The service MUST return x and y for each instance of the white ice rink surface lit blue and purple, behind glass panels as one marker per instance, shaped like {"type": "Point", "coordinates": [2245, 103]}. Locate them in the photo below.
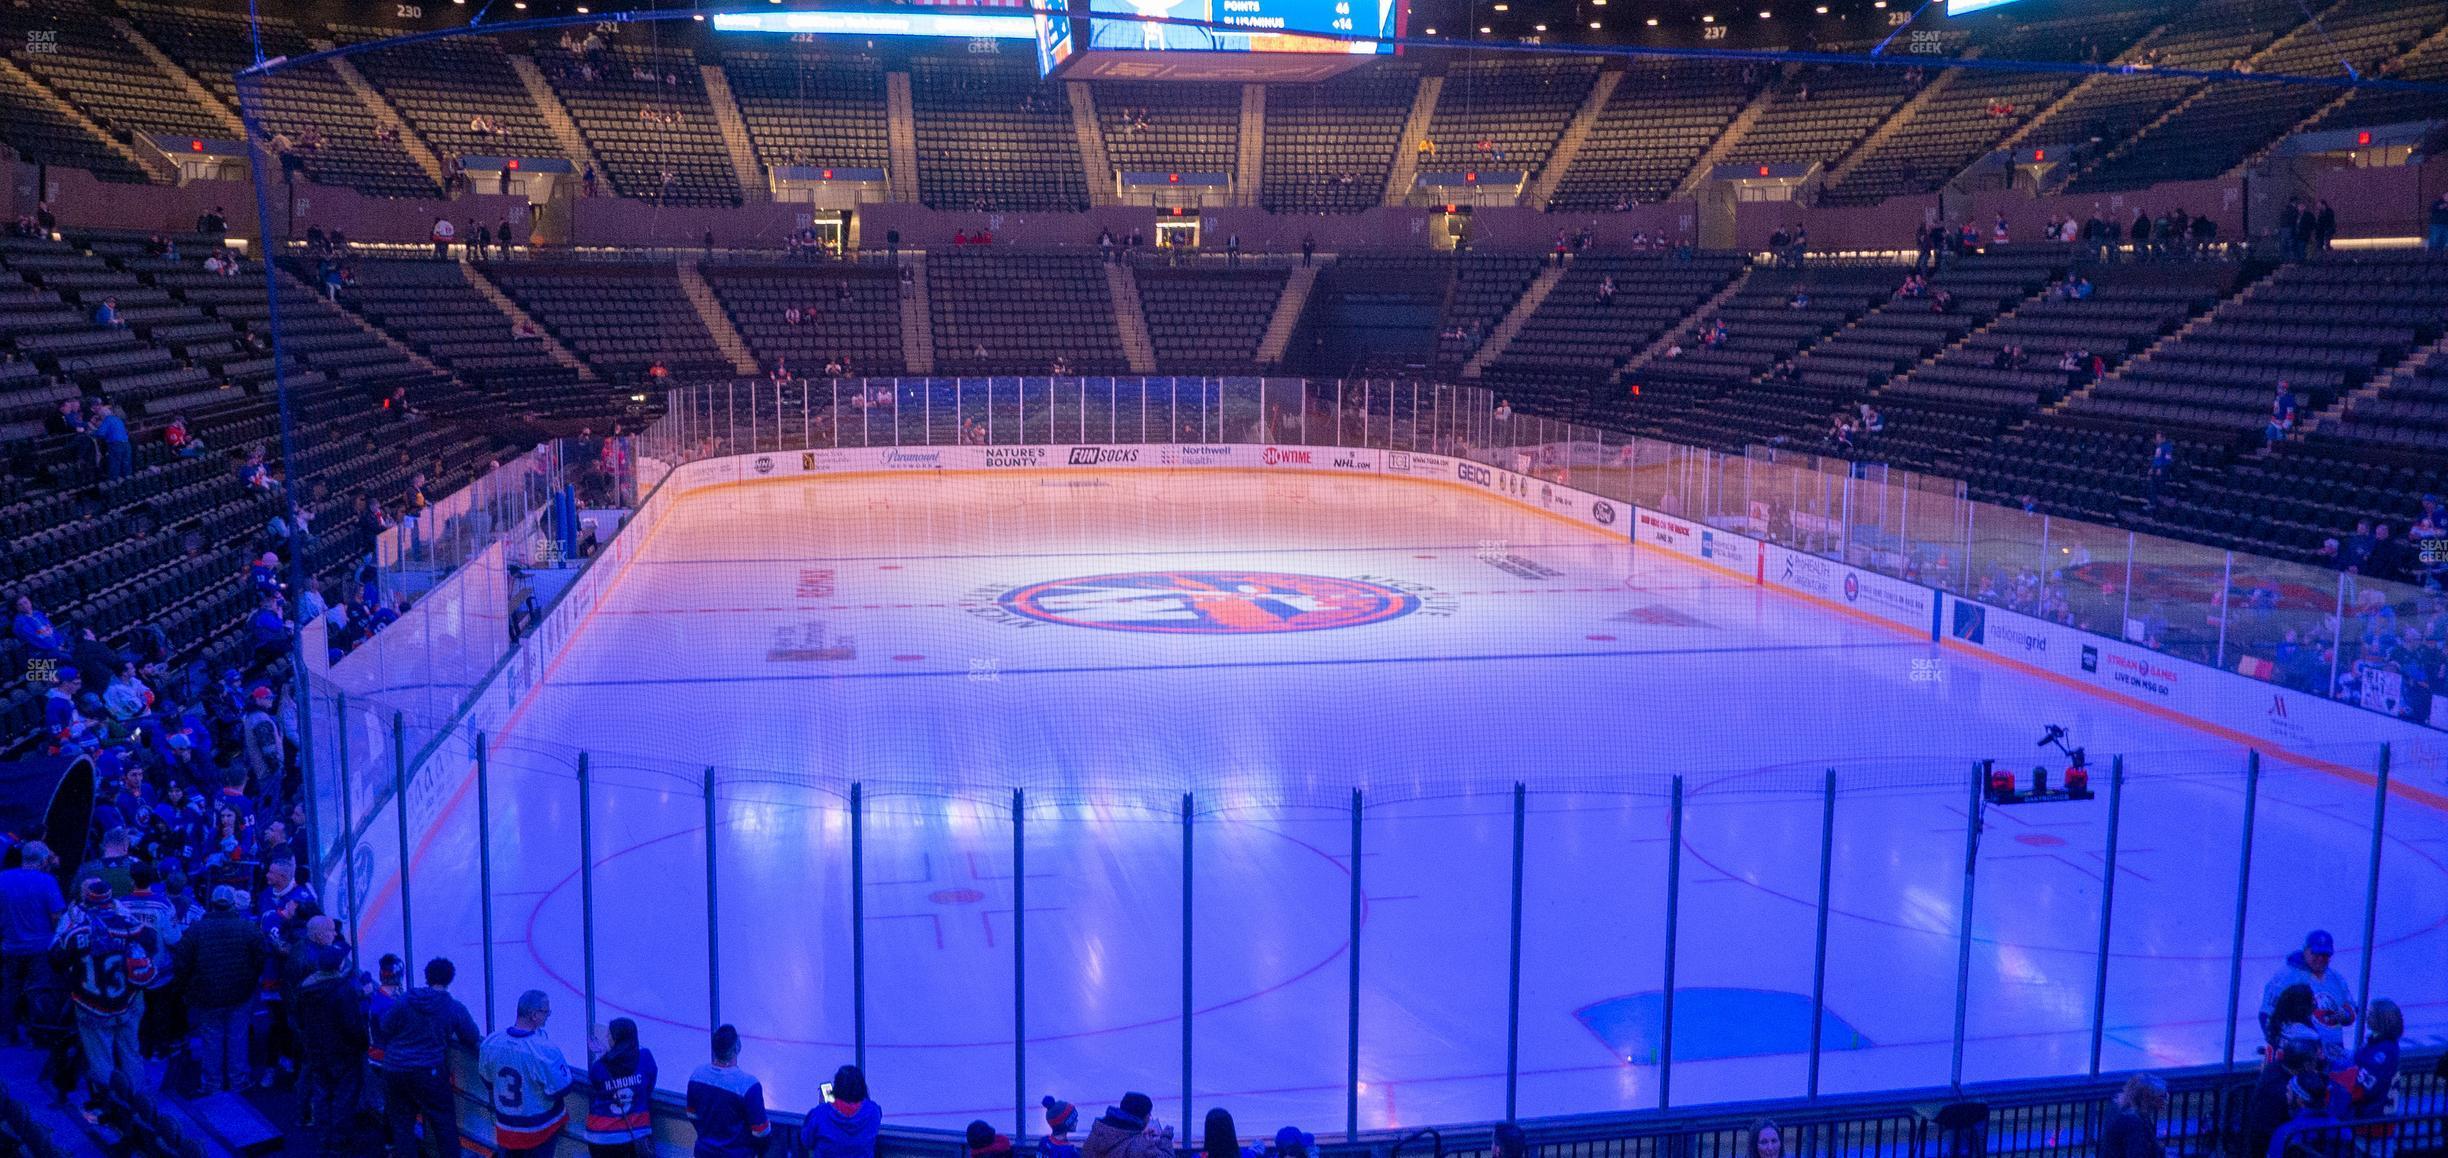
{"type": "Point", "coordinates": [1272, 645]}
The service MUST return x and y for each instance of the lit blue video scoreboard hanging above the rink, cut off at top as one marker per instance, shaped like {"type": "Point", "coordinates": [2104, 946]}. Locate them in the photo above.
{"type": "Point", "coordinates": [1215, 40]}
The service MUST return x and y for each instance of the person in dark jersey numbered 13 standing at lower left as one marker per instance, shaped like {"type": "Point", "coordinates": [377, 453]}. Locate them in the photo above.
{"type": "Point", "coordinates": [109, 961]}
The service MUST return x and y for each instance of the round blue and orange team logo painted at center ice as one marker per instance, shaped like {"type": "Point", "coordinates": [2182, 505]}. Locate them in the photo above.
{"type": "Point", "coordinates": [1211, 603]}
